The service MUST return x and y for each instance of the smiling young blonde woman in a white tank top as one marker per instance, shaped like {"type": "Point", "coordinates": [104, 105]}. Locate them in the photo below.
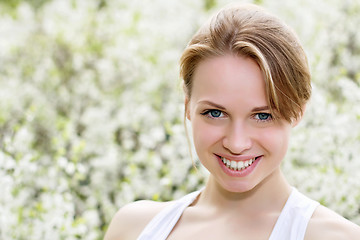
{"type": "Point", "coordinates": [246, 84]}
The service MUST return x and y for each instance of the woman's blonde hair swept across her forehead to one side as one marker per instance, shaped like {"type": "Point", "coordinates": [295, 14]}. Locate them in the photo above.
{"type": "Point", "coordinates": [250, 31]}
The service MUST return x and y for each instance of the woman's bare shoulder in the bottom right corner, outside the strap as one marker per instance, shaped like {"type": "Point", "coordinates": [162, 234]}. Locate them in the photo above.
{"type": "Point", "coordinates": [326, 224]}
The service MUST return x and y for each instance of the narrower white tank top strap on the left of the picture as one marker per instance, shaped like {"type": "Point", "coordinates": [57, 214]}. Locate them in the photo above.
{"type": "Point", "coordinates": [162, 224]}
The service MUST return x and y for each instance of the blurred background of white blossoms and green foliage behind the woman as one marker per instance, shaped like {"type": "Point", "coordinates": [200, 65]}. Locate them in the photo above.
{"type": "Point", "coordinates": [91, 109]}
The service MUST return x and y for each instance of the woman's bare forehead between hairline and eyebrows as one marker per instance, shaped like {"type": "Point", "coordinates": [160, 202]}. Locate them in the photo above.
{"type": "Point", "coordinates": [229, 79]}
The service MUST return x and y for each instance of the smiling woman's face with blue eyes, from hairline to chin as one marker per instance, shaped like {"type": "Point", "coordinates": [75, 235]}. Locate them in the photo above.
{"type": "Point", "coordinates": [235, 136]}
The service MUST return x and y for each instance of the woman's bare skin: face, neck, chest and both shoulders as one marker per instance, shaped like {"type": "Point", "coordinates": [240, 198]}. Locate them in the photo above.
{"type": "Point", "coordinates": [230, 117]}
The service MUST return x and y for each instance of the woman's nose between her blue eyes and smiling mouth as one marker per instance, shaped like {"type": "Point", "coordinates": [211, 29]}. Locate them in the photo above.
{"type": "Point", "coordinates": [237, 138]}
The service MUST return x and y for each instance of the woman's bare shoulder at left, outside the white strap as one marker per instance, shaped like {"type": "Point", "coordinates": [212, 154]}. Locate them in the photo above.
{"type": "Point", "coordinates": [132, 218]}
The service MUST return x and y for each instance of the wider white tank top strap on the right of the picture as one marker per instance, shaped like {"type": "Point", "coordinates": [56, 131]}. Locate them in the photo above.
{"type": "Point", "coordinates": [294, 218]}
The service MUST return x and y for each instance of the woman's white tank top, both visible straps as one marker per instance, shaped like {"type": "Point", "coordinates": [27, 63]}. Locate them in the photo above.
{"type": "Point", "coordinates": [291, 224]}
